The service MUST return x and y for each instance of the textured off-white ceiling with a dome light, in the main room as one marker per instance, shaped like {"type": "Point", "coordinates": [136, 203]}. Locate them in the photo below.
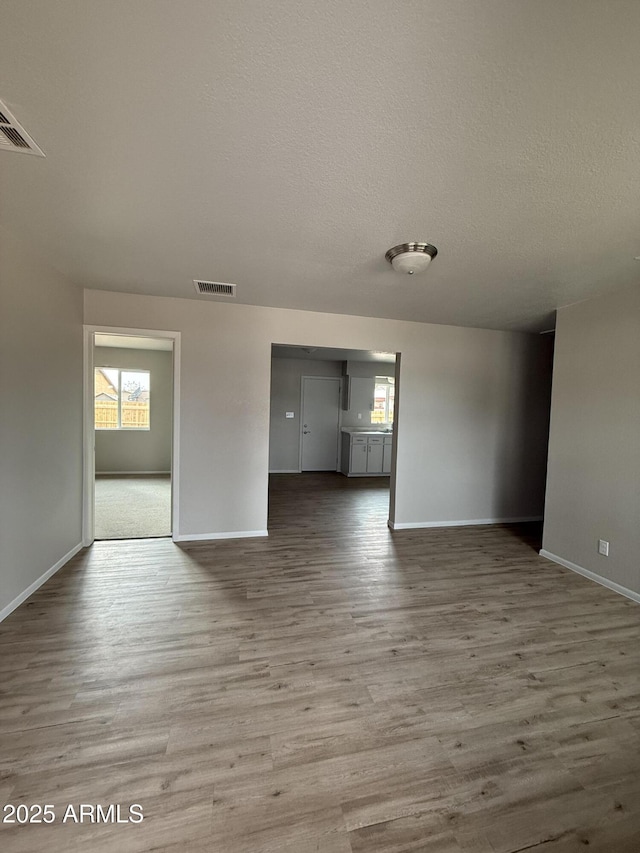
{"type": "Point", "coordinates": [285, 146]}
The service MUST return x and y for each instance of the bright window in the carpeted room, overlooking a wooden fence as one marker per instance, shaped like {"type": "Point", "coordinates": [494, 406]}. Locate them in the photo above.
{"type": "Point", "coordinates": [121, 398]}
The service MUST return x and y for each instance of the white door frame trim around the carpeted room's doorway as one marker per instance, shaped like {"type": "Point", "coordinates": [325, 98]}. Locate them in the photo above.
{"type": "Point", "coordinates": [88, 432]}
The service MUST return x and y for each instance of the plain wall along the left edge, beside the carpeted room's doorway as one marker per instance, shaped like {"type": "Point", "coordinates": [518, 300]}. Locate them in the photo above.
{"type": "Point", "coordinates": [40, 419]}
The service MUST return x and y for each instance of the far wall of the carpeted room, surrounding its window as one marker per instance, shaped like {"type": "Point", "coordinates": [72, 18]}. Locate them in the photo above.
{"type": "Point", "coordinates": [134, 451]}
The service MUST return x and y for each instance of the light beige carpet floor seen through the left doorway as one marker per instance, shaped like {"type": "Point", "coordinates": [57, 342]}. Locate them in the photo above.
{"type": "Point", "coordinates": [132, 507]}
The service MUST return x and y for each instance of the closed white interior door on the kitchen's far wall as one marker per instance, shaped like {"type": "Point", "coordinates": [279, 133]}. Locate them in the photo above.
{"type": "Point", "coordinates": [320, 422]}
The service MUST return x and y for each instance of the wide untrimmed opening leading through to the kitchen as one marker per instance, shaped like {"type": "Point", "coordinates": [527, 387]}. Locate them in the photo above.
{"type": "Point", "coordinates": [332, 439]}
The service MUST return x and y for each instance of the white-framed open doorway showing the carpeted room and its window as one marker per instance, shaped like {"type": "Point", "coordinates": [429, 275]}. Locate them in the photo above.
{"type": "Point", "coordinates": [130, 435]}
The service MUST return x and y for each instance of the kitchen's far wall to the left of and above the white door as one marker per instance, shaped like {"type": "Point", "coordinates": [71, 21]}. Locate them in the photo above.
{"type": "Point", "coordinates": [286, 383]}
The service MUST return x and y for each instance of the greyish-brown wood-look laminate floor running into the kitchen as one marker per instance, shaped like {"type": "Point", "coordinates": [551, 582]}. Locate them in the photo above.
{"type": "Point", "coordinates": [333, 688]}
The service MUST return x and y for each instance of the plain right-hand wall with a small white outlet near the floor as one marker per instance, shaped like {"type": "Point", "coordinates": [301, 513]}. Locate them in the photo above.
{"type": "Point", "coordinates": [594, 445]}
